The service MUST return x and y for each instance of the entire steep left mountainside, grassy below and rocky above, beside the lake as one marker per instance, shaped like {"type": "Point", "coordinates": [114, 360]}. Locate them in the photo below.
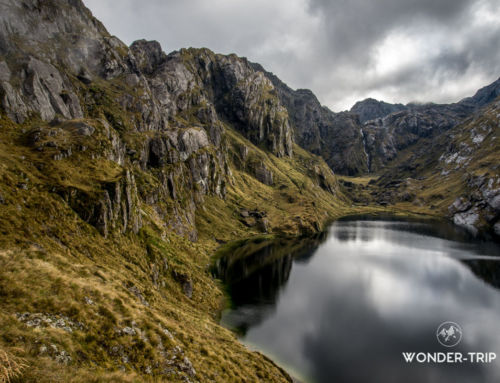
{"type": "Point", "coordinates": [122, 169]}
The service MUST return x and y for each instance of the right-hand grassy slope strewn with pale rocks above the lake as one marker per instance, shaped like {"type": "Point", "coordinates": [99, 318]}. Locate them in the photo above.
{"type": "Point", "coordinates": [454, 174]}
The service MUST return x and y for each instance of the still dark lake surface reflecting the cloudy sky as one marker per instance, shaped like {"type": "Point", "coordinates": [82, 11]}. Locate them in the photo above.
{"type": "Point", "coordinates": [344, 306]}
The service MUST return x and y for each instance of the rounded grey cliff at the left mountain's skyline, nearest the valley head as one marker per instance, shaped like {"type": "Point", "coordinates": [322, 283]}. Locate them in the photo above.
{"type": "Point", "coordinates": [218, 87]}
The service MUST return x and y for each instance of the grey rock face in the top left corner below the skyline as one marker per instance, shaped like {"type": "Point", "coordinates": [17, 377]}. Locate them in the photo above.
{"type": "Point", "coordinates": [68, 37]}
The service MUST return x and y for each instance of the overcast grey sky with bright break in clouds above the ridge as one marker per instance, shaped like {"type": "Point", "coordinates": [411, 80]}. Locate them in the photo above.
{"type": "Point", "coordinates": [343, 50]}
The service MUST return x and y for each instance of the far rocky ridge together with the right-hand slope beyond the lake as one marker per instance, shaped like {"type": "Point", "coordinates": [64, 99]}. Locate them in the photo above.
{"type": "Point", "coordinates": [409, 148]}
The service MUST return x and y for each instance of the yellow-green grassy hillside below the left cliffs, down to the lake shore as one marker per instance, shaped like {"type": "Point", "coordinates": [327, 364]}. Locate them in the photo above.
{"type": "Point", "coordinates": [79, 306]}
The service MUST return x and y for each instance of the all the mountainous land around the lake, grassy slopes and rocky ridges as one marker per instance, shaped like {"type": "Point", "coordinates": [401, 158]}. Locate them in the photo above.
{"type": "Point", "coordinates": [125, 169]}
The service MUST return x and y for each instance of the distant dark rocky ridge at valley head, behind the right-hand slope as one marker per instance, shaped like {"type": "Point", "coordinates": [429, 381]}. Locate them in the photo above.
{"type": "Point", "coordinates": [369, 137]}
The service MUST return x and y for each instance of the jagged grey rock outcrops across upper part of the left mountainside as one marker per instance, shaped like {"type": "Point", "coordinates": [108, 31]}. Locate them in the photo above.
{"type": "Point", "coordinates": [148, 111]}
